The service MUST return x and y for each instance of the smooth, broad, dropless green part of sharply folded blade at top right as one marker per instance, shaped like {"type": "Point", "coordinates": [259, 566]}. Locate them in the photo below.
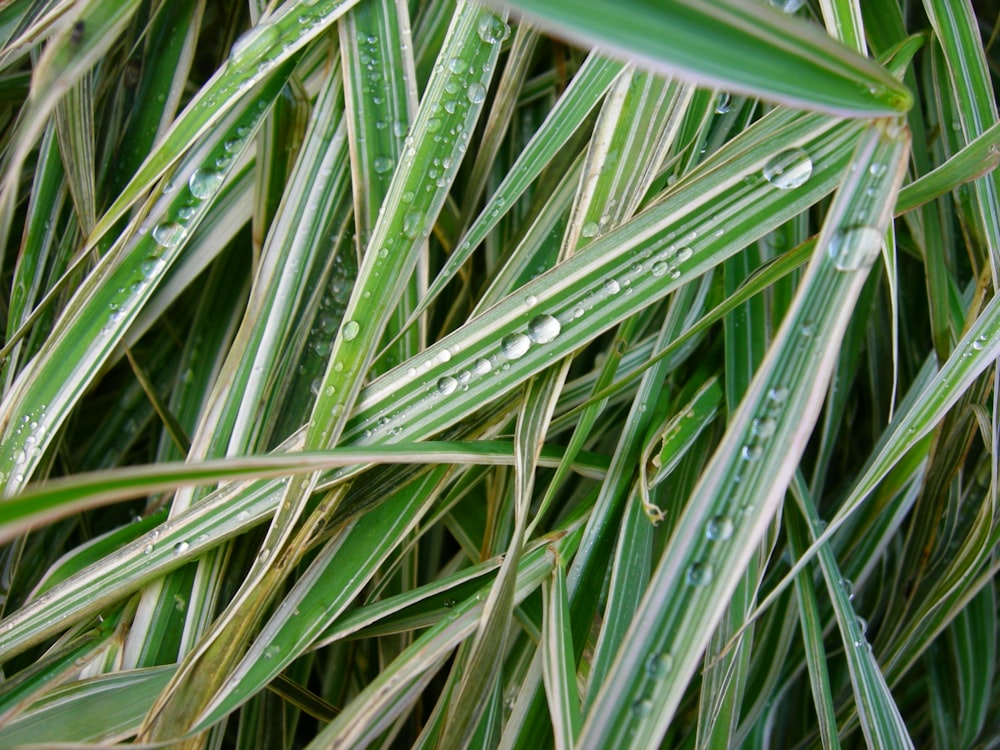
{"type": "Point", "coordinates": [710, 41]}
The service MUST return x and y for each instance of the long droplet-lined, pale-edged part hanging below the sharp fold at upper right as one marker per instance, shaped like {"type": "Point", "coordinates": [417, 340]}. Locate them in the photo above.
{"type": "Point", "coordinates": [747, 477]}
